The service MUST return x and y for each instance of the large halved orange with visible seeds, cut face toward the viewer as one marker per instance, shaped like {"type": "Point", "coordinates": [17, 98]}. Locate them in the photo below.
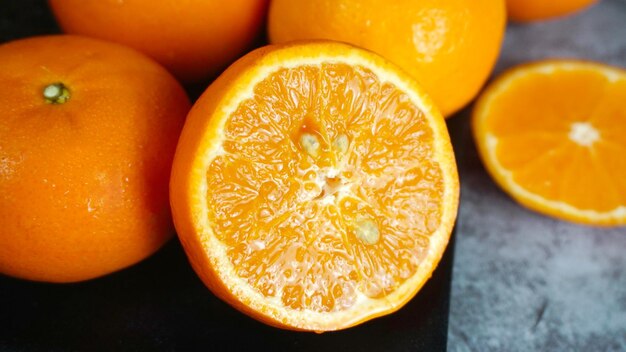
{"type": "Point", "coordinates": [314, 186]}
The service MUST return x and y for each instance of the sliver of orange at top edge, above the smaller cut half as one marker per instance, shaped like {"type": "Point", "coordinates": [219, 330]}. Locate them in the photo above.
{"type": "Point", "coordinates": [535, 10]}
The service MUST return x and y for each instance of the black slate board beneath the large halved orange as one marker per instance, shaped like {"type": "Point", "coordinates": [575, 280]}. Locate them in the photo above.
{"type": "Point", "coordinates": [160, 304]}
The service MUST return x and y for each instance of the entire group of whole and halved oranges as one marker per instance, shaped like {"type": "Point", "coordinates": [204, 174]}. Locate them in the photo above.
{"type": "Point", "coordinates": [313, 184]}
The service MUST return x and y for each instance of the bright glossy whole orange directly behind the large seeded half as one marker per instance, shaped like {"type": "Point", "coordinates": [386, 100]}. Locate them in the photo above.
{"type": "Point", "coordinates": [450, 46]}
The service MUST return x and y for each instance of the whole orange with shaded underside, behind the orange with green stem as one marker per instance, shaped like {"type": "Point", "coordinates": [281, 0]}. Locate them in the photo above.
{"type": "Point", "coordinates": [194, 39]}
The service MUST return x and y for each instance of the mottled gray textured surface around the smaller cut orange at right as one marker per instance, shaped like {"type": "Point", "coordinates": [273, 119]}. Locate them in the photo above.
{"type": "Point", "coordinates": [522, 281]}
